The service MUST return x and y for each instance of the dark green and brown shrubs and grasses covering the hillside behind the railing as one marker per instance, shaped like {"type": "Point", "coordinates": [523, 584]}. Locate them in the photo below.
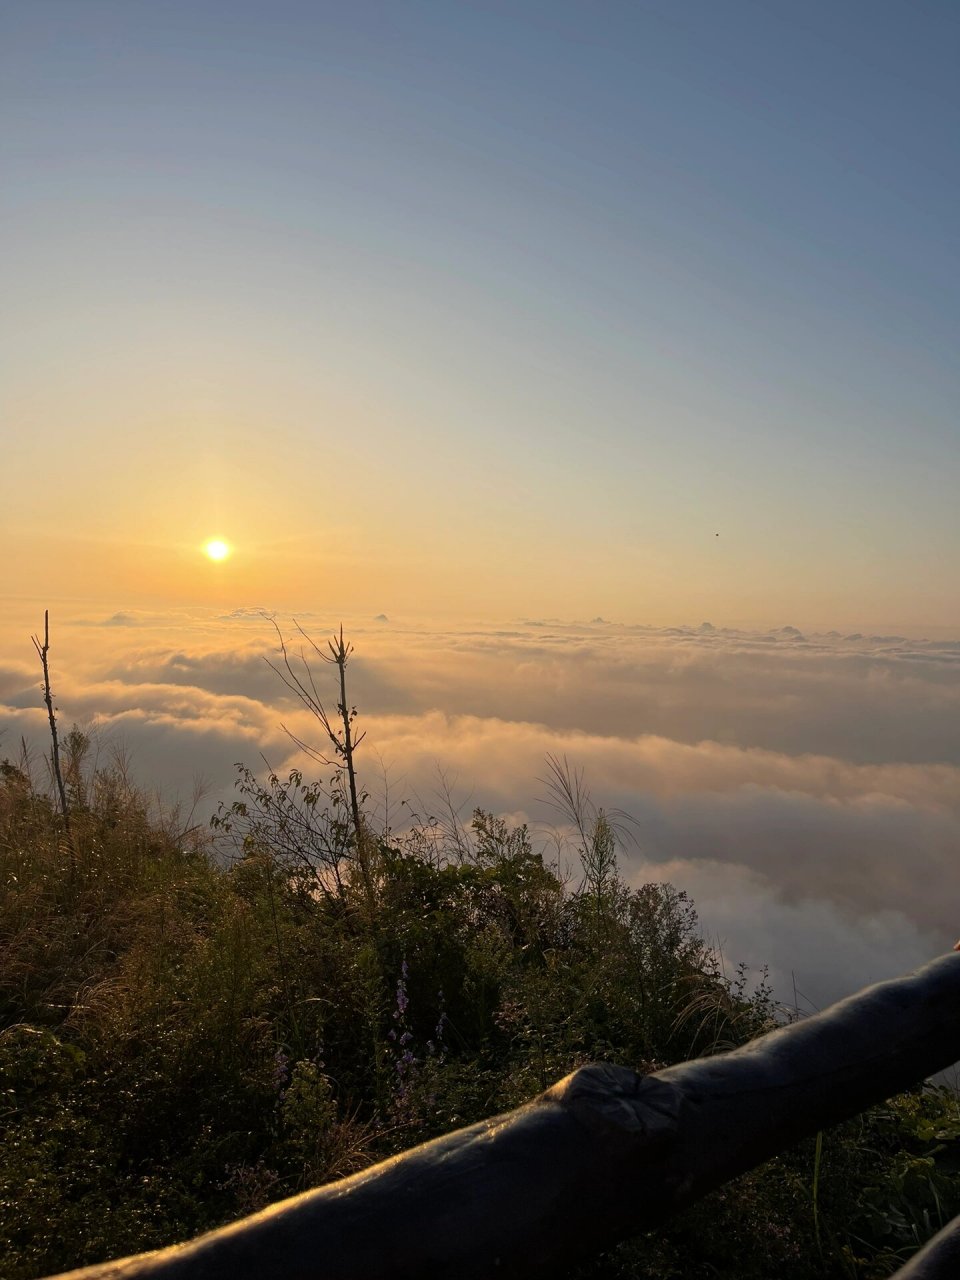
{"type": "Point", "coordinates": [196, 1023]}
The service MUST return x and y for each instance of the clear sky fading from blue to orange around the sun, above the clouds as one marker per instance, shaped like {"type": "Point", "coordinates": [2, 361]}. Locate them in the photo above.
{"type": "Point", "coordinates": [639, 310]}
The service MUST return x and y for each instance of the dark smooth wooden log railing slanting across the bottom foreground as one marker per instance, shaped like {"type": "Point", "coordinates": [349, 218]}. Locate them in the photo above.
{"type": "Point", "coordinates": [601, 1156]}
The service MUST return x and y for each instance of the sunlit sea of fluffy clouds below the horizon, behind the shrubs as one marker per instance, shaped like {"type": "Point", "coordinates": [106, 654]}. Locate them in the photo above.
{"type": "Point", "coordinates": [804, 789]}
